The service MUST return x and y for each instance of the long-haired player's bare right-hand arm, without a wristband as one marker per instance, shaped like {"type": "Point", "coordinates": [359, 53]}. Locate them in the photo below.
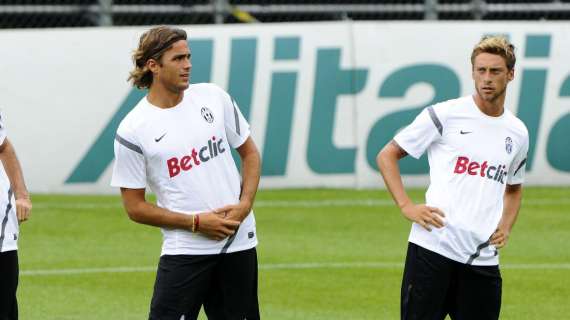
{"type": "Point", "coordinates": [251, 164]}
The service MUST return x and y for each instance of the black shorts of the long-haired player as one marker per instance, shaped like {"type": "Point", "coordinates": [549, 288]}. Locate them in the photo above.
{"type": "Point", "coordinates": [225, 284]}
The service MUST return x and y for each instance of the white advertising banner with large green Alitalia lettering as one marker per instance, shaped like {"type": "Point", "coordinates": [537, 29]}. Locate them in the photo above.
{"type": "Point", "coordinates": [322, 98]}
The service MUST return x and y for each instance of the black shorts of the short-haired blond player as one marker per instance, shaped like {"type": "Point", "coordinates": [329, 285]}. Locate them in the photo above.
{"type": "Point", "coordinates": [435, 286]}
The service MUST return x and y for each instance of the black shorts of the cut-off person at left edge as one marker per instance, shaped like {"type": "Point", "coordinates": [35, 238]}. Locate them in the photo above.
{"type": "Point", "coordinates": [8, 284]}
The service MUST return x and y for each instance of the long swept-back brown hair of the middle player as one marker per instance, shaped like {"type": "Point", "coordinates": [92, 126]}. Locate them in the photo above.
{"type": "Point", "coordinates": [152, 45]}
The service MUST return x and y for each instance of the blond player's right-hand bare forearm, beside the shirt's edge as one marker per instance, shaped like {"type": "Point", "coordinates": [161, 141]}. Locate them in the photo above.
{"type": "Point", "coordinates": [512, 204]}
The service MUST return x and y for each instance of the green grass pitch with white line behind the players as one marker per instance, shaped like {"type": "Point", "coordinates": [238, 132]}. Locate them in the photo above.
{"type": "Point", "coordinates": [324, 254]}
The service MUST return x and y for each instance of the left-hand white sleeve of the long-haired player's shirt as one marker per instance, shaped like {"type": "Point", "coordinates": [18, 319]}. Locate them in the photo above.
{"type": "Point", "coordinates": [129, 168]}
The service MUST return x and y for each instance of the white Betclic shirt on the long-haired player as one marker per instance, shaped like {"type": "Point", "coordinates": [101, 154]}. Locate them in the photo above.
{"type": "Point", "coordinates": [183, 154]}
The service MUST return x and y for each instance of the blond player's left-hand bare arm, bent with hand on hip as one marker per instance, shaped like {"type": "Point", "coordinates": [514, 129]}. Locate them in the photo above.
{"type": "Point", "coordinates": [387, 161]}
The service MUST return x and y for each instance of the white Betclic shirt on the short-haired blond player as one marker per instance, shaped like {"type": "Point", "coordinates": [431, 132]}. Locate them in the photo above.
{"type": "Point", "coordinates": [472, 157]}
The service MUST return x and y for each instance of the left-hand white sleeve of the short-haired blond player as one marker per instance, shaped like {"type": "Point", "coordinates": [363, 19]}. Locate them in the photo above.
{"type": "Point", "coordinates": [421, 133]}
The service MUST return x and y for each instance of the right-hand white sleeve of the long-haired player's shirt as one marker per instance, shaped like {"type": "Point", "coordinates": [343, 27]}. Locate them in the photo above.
{"type": "Point", "coordinates": [237, 128]}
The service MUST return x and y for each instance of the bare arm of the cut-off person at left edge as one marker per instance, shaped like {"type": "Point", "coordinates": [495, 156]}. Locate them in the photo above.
{"type": "Point", "coordinates": [16, 177]}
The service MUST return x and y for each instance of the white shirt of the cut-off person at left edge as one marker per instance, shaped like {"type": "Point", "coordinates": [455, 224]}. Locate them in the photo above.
{"type": "Point", "coordinates": [9, 228]}
